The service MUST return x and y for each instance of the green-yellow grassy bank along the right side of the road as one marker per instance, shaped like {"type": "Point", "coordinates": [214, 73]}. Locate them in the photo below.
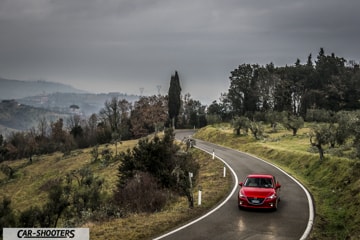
{"type": "Point", "coordinates": [334, 183]}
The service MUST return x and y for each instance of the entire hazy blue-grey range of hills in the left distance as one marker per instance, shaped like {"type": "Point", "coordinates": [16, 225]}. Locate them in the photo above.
{"type": "Point", "coordinates": [24, 103]}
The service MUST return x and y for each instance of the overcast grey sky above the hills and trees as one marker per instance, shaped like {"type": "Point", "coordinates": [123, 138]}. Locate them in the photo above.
{"type": "Point", "coordinates": [125, 45]}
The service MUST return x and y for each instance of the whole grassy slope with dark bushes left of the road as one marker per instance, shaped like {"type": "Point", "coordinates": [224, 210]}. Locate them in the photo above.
{"type": "Point", "coordinates": [81, 189]}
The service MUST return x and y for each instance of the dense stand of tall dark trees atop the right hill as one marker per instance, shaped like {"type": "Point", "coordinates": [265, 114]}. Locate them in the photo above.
{"type": "Point", "coordinates": [328, 83]}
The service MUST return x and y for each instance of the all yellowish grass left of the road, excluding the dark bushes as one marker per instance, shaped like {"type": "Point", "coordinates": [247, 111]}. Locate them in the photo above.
{"type": "Point", "coordinates": [28, 187]}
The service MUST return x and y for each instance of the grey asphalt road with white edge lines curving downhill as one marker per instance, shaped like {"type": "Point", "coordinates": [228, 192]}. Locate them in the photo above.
{"type": "Point", "coordinates": [292, 220]}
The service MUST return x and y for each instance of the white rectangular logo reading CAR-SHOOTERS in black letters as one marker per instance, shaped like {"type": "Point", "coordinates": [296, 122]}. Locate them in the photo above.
{"type": "Point", "coordinates": [46, 233]}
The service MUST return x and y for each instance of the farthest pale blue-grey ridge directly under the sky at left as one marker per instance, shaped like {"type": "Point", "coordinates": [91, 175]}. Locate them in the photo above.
{"type": "Point", "coordinates": [15, 89]}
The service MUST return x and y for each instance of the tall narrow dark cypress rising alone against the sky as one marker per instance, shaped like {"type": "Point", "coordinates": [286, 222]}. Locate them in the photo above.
{"type": "Point", "coordinates": [174, 102]}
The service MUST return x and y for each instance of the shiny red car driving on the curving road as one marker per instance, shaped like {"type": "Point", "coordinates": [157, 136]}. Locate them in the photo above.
{"type": "Point", "coordinates": [259, 191]}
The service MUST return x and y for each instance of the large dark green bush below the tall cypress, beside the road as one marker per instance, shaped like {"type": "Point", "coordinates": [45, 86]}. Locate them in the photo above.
{"type": "Point", "coordinates": [161, 159]}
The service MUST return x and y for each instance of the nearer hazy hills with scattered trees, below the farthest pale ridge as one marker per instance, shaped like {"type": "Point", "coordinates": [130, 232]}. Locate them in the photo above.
{"type": "Point", "coordinates": [25, 113]}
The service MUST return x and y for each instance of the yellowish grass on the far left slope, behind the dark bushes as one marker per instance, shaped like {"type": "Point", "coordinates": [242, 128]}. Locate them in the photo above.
{"type": "Point", "coordinates": [25, 187]}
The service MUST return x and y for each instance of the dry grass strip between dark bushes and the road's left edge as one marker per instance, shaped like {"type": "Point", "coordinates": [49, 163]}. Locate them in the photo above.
{"type": "Point", "coordinates": [145, 226]}
